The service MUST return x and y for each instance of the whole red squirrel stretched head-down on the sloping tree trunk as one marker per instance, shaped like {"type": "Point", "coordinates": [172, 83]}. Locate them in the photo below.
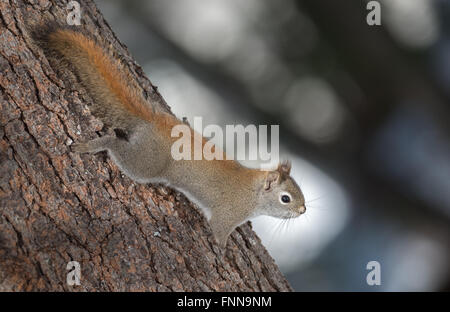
{"type": "Point", "coordinates": [227, 192]}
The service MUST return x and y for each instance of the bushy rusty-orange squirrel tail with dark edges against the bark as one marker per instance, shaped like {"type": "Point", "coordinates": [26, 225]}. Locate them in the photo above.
{"type": "Point", "coordinates": [116, 95]}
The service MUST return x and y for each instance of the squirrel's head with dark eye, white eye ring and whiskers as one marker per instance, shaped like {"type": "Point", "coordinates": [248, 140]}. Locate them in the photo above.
{"type": "Point", "coordinates": [281, 197]}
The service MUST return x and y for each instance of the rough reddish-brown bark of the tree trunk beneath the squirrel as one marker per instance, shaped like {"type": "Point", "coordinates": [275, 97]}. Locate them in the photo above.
{"type": "Point", "coordinates": [57, 206]}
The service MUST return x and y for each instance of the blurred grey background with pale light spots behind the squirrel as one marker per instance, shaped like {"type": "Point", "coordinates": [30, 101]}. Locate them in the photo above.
{"type": "Point", "coordinates": [364, 115]}
